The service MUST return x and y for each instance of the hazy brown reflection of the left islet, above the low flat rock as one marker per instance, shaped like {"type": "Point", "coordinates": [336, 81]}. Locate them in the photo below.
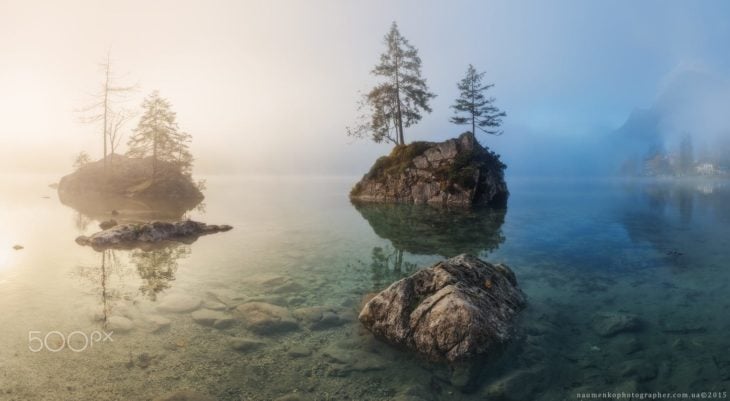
{"type": "Point", "coordinates": [100, 207]}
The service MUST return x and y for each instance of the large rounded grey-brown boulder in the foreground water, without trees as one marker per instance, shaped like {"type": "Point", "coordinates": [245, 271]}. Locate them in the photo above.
{"type": "Point", "coordinates": [456, 309]}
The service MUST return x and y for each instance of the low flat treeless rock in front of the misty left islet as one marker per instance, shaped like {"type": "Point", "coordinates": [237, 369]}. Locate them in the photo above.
{"type": "Point", "coordinates": [134, 235]}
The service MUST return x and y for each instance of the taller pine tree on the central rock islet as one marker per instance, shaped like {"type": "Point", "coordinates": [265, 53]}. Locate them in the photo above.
{"type": "Point", "coordinates": [398, 102]}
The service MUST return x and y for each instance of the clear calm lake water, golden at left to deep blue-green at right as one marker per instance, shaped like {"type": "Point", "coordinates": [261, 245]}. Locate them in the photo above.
{"type": "Point", "coordinates": [657, 250]}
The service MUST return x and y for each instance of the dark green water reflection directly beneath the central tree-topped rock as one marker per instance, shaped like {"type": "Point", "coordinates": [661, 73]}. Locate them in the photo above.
{"type": "Point", "coordinates": [425, 230]}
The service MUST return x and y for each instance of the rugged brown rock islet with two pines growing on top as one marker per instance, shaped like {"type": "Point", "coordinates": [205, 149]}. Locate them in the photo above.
{"type": "Point", "coordinates": [457, 172]}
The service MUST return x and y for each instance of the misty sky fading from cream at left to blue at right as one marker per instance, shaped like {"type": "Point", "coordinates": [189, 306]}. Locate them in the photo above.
{"type": "Point", "coordinates": [269, 86]}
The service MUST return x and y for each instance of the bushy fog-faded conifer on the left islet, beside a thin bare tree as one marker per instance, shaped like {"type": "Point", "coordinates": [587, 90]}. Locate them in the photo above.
{"type": "Point", "coordinates": [158, 135]}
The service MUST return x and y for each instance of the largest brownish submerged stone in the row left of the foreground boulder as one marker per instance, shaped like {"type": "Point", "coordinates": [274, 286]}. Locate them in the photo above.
{"type": "Point", "coordinates": [265, 318]}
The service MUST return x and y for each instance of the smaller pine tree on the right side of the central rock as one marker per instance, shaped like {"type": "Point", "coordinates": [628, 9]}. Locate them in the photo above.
{"type": "Point", "coordinates": [480, 110]}
